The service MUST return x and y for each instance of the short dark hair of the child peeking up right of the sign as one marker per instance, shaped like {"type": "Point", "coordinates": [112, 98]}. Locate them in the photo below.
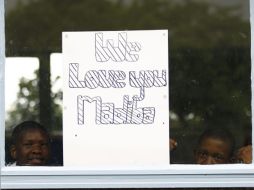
{"type": "Point", "coordinates": [221, 134]}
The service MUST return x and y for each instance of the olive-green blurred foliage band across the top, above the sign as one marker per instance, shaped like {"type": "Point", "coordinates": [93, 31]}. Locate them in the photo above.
{"type": "Point", "coordinates": [191, 24]}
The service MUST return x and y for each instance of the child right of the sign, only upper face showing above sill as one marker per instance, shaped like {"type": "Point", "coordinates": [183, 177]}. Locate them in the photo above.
{"type": "Point", "coordinates": [215, 146]}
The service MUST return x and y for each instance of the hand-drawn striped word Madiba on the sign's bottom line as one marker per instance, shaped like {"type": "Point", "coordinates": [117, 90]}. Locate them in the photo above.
{"type": "Point", "coordinates": [106, 113]}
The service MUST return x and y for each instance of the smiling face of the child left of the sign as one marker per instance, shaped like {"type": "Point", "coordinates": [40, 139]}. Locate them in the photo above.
{"type": "Point", "coordinates": [32, 148]}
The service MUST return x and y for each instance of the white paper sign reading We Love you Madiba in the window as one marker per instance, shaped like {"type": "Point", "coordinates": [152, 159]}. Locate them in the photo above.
{"type": "Point", "coordinates": [115, 96]}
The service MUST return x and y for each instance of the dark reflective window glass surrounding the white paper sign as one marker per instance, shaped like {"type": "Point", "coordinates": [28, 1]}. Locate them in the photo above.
{"type": "Point", "coordinates": [209, 69]}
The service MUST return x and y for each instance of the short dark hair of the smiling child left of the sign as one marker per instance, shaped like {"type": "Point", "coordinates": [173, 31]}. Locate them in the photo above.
{"type": "Point", "coordinates": [21, 128]}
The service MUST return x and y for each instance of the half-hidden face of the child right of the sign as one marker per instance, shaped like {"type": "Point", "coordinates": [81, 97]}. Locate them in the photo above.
{"type": "Point", "coordinates": [213, 151]}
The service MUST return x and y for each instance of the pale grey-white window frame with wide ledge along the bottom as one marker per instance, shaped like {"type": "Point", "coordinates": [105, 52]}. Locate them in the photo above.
{"type": "Point", "coordinates": [66, 177]}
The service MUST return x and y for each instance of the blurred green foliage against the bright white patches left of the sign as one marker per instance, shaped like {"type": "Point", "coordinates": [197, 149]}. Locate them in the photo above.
{"type": "Point", "coordinates": [26, 107]}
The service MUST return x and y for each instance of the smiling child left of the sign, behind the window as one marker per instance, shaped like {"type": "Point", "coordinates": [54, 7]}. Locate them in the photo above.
{"type": "Point", "coordinates": [30, 144]}
